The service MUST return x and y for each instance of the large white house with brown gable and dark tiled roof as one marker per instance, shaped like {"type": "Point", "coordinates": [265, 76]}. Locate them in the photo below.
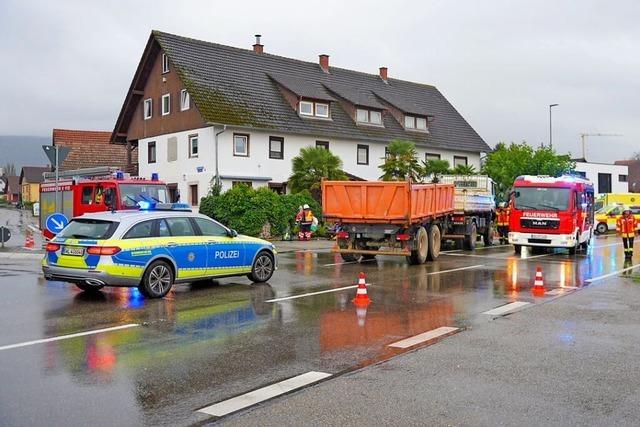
{"type": "Point", "coordinates": [197, 111]}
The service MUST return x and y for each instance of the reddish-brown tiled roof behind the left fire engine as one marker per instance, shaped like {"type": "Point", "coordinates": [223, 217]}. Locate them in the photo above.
{"type": "Point", "coordinates": [89, 149]}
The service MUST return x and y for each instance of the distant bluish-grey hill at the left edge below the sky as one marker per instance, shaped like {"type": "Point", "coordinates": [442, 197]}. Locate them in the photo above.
{"type": "Point", "coordinates": [23, 150]}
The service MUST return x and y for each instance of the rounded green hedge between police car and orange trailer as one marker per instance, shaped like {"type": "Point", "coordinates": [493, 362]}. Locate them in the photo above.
{"type": "Point", "coordinates": [257, 212]}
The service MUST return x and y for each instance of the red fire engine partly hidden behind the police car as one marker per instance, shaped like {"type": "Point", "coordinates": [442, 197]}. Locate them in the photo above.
{"type": "Point", "coordinates": [95, 190]}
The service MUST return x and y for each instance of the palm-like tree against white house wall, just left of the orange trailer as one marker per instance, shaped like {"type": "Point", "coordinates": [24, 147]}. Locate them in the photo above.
{"type": "Point", "coordinates": [311, 166]}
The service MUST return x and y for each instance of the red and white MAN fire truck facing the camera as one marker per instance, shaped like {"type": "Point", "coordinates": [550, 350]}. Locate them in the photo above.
{"type": "Point", "coordinates": [551, 212]}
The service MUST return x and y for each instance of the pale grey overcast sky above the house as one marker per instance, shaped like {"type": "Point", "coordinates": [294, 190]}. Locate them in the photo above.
{"type": "Point", "coordinates": [68, 64]}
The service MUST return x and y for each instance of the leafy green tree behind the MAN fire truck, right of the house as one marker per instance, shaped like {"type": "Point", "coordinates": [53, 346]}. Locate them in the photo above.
{"type": "Point", "coordinates": [506, 162]}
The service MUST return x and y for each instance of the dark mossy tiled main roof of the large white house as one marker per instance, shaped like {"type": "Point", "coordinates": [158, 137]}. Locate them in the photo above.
{"type": "Point", "coordinates": [232, 86]}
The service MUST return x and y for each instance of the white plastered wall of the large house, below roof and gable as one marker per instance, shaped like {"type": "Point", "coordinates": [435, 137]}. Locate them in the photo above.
{"type": "Point", "coordinates": [184, 172]}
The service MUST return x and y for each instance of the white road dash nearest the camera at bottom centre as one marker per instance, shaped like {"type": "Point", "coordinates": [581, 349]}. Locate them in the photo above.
{"type": "Point", "coordinates": [253, 397]}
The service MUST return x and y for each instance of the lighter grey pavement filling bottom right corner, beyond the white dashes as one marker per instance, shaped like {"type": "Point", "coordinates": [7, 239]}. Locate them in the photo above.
{"type": "Point", "coordinates": [572, 361]}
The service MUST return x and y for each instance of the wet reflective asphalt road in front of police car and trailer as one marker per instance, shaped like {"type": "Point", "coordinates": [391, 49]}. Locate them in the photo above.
{"type": "Point", "coordinates": [205, 343]}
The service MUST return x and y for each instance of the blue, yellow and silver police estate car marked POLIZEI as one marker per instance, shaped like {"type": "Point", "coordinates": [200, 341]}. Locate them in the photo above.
{"type": "Point", "coordinates": [152, 249]}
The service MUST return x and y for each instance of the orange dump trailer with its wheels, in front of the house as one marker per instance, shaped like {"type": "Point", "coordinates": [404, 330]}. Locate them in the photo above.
{"type": "Point", "coordinates": [388, 218]}
